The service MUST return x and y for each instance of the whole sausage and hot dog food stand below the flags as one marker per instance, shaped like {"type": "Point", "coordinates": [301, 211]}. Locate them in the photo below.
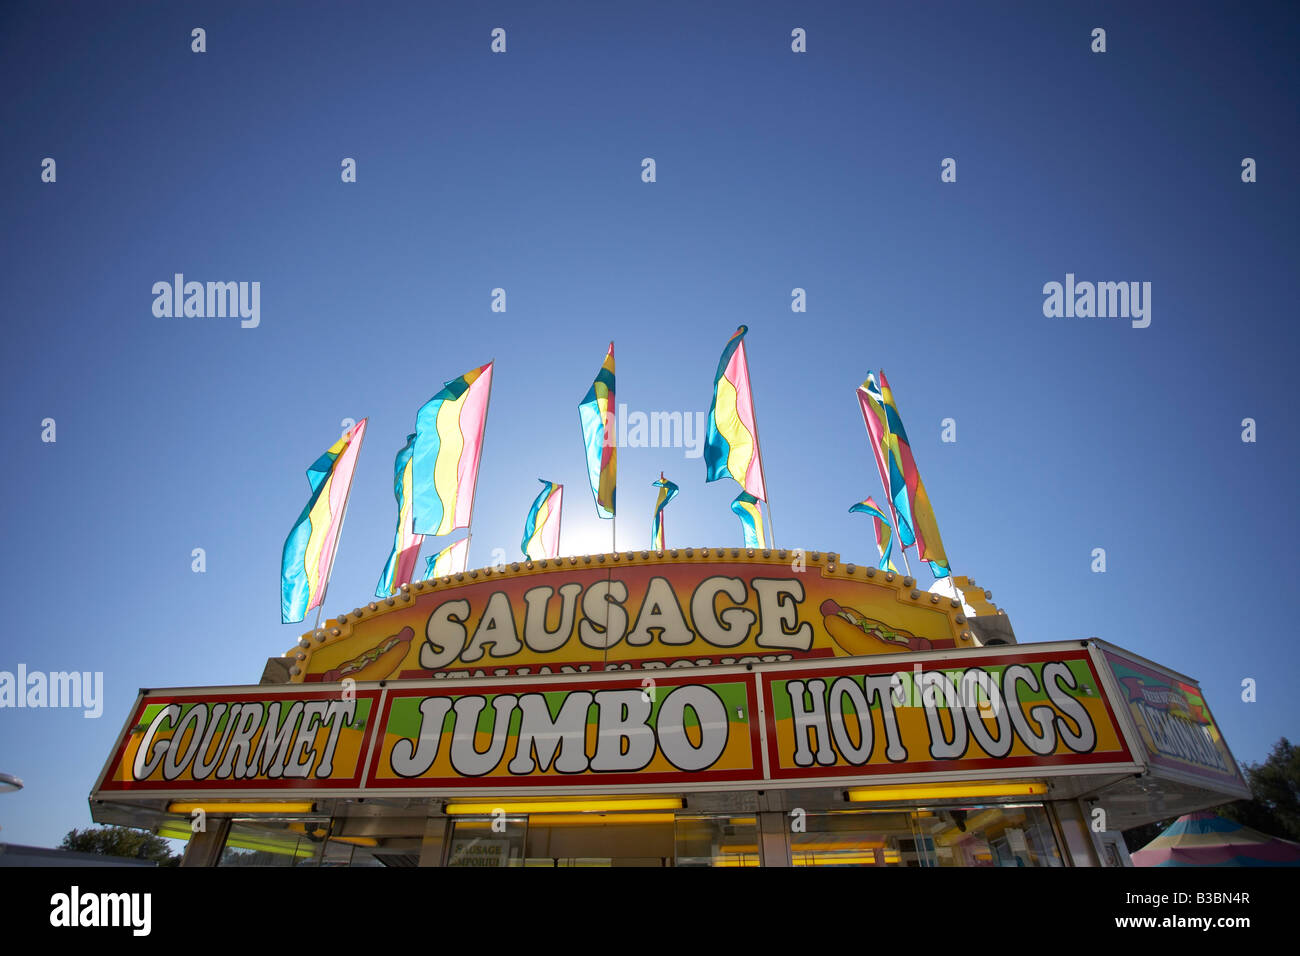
{"type": "Point", "coordinates": [696, 707]}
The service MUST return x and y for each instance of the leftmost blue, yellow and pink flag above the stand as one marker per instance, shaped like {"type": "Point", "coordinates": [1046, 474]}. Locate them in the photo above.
{"type": "Point", "coordinates": [309, 555]}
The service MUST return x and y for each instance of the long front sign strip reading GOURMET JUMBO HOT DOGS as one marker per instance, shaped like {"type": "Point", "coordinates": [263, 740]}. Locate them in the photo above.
{"type": "Point", "coordinates": [996, 712]}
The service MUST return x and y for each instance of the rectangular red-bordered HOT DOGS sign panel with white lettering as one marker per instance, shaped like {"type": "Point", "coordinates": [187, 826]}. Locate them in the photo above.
{"type": "Point", "coordinates": [986, 713]}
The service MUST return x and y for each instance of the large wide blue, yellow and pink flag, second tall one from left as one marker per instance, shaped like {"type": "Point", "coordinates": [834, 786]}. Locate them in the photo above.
{"type": "Point", "coordinates": [449, 439]}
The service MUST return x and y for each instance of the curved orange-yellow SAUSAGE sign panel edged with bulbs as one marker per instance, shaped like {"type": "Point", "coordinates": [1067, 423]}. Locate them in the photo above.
{"type": "Point", "coordinates": [632, 611]}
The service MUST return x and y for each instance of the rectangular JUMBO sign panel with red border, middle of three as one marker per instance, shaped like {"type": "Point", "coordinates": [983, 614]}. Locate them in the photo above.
{"type": "Point", "coordinates": [617, 732]}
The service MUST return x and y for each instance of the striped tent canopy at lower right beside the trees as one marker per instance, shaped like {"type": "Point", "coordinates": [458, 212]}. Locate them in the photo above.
{"type": "Point", "coordinates": [1204, 840]}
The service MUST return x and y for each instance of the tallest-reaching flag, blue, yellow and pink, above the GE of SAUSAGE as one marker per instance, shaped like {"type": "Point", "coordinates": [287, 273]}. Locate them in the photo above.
{"type": "Point", "coordinates": [731, 449]}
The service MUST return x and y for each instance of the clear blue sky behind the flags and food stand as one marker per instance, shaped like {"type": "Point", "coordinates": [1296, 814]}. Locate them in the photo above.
{"type": "Point", "coordinates": [523, 171]}
